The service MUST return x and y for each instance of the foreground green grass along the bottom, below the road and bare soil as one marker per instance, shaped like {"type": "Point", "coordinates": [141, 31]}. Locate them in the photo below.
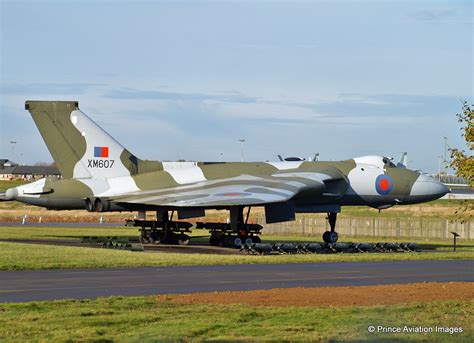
{"type": "Point", "coordinates": [144, 319]}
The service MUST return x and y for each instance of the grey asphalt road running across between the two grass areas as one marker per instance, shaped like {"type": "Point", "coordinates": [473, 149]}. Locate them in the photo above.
{"type": "Point", "coordinates": [91, 283]}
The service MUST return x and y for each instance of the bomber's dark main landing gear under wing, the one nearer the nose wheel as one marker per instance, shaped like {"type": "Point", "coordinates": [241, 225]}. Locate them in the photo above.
{"type": "Point", "coordinates": [234, 234]}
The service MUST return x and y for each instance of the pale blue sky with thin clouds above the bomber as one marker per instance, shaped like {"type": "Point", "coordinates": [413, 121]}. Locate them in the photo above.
{"type": "Point", "coordinates": [186, 79]}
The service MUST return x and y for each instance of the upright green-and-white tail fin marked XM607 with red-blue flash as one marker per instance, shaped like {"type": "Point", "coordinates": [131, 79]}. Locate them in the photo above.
{"type": "Point", "coordinates": [80, 148]}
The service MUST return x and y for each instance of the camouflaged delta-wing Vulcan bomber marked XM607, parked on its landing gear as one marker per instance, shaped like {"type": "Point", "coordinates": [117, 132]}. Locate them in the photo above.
{"type": "Point", "coordinates": [99, 174]}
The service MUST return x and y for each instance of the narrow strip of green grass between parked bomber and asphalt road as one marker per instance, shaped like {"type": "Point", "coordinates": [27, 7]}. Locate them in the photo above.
{"type": "Point", "coordinates": [22, 256]}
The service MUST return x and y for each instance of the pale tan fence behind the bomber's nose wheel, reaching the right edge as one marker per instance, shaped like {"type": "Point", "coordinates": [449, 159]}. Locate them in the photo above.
{"type": "Point", "coordinates": [374, 227]}
